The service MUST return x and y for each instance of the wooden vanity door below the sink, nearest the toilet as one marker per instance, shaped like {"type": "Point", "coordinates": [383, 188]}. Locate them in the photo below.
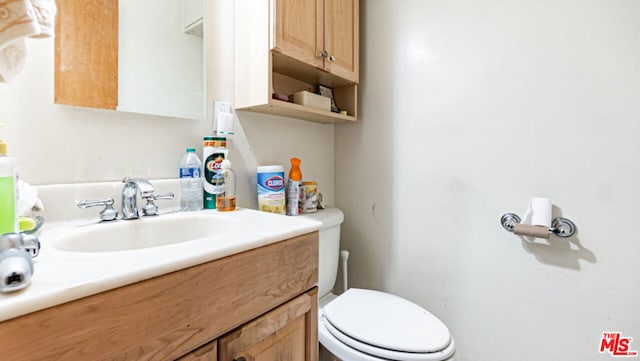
{"type": "Point", "coordinates": [287, 333]}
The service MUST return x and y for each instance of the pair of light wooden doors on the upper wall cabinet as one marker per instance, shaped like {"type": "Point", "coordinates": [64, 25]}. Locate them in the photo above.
{"type": "Point", "coordinates": [321, 33]}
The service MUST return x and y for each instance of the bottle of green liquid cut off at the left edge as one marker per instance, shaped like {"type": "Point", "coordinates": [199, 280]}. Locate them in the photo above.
{"type": "Point", "coordinates": [8, 204]}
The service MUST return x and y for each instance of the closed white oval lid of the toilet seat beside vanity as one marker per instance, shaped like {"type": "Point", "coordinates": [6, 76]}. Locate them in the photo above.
{"type": "Point", "coordinates": [386, 321]}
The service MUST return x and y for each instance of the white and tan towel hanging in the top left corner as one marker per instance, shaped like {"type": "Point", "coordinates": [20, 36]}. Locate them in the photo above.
{"type": "Point", "coordinates": [20, 19]}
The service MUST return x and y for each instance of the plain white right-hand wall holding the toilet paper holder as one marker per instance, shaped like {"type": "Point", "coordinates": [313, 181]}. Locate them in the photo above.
{"type": "Point", "coordinates": [469, 109]}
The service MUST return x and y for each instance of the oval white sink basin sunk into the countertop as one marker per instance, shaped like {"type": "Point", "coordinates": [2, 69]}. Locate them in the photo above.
{"type": "Point", "coordinates": [142, 233]}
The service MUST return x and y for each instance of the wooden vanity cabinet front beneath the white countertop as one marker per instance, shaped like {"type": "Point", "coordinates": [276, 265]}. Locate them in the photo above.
{"type": "Point", "coordinates": [257, 303]}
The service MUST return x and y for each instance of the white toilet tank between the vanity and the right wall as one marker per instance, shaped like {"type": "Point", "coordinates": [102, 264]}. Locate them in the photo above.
{"type": "Point", "coordinates": [329, 246]}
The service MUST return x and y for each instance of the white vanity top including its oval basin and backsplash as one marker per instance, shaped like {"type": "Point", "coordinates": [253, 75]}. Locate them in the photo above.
{"type": "Point", "coordinates": [80, 257]}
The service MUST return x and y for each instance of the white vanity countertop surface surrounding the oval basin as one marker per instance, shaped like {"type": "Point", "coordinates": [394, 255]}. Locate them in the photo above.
{"type": "Point", "coordinates": [63, 276]}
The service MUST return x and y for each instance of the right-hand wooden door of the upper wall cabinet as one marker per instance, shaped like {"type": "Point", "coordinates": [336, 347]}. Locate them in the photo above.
{"type": "Point", "coordinates": [341, 38]}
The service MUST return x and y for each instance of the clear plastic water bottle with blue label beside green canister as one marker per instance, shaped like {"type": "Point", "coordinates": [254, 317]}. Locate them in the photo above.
{"type": "Point", "coordinates": [190, 181]}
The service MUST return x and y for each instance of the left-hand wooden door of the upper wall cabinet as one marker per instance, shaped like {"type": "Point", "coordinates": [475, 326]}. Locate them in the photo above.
{"type": "Point", "coordinates": [298, 28]}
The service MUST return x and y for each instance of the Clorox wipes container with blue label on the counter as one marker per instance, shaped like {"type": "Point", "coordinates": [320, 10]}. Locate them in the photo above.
{"type": "Point", "coordinates": [271, 196]}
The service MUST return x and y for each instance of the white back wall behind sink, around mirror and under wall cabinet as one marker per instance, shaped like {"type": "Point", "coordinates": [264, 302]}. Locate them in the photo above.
{"type": "Point", "coordinates": [61, 144]}
